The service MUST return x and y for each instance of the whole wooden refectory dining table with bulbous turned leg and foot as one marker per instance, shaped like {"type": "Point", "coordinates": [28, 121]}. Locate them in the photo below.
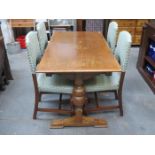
{"type": "Point", "coordinates": [78, 56]}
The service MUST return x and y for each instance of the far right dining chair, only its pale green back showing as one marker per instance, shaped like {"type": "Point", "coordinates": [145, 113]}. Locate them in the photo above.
{"type": "Point", "coordinates": [112, 35]}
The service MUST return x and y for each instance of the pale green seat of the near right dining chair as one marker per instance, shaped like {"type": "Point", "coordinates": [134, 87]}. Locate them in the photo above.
{"type": "Point", "coordinates": [103, 82]}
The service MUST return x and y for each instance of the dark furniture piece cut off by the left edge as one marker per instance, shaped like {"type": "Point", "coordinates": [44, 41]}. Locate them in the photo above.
{"type": "Point", "coordinates": [5, 72]}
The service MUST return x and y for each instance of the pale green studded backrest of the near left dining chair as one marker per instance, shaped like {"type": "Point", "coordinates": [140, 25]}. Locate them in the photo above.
{"type": "Point", "coordinates": [33, 48]}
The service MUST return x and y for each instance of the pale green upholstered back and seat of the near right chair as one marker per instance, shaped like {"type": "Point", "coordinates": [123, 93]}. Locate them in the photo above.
{"type": "Point", "coordinates": [103, 82]}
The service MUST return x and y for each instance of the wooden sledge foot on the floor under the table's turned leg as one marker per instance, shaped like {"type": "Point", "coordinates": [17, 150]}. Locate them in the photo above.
{"type": "Point", "coordinates": [72, 122]}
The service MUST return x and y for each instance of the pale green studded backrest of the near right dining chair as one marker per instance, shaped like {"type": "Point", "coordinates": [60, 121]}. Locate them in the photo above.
{"type": "Point", "coordinates": [122, 50]}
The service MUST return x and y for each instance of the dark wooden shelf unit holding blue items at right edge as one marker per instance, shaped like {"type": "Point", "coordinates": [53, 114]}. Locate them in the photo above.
{"type": "Point", "coordinates": [146, 62]}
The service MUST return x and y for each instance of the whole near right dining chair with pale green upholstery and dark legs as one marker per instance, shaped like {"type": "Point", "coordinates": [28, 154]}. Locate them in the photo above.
{"type": "Point", "coordinates": [114, 82]}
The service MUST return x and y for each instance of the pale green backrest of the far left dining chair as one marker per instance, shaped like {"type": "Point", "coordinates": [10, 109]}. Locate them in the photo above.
{"type": "Point", "coordinates": [42, 36]}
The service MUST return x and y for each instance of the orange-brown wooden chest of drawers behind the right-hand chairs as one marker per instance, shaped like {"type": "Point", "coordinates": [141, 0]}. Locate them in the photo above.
{"type": "Point", "coordinates": [133, 26]}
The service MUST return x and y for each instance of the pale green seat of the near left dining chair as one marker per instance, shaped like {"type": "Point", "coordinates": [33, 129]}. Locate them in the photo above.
{"type": "Point", "coordinates": [54, 84]}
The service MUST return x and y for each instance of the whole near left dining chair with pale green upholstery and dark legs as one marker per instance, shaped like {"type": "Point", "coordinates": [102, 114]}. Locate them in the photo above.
{"type": "Point", "coordinates": [44, 84]}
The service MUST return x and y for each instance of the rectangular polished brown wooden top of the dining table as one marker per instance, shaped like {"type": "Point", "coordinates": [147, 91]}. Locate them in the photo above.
{"type": "Point", "coordinates": [78, 52]}
